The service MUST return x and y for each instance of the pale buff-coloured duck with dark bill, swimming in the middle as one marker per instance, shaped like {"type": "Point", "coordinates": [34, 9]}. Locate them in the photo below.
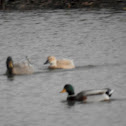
{"type": "Point", "coordinates": [59, 64]}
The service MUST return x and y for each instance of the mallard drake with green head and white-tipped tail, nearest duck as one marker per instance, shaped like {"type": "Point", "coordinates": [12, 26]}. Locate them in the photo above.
{"type": "Point", "coordinates": [87, 95]}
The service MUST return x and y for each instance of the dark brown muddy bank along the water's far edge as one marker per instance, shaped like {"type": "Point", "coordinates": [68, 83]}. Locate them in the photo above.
{"type": "Point", "coordinates": [60, 4]}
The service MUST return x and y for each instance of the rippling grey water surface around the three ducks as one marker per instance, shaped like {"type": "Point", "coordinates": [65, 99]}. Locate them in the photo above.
{"type": "Point", "coordinates": [94, 39]}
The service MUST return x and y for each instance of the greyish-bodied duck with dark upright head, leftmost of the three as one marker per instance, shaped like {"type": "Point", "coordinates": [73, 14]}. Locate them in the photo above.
{"type": "Point", "coordinates": [18, 68]}
